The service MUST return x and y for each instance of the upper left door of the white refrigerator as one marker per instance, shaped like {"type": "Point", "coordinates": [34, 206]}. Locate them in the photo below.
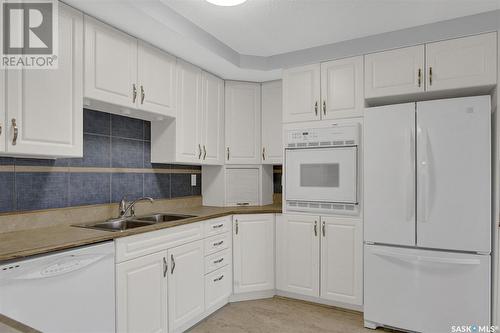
{"type": "Point", "coordinates": [389, 174]}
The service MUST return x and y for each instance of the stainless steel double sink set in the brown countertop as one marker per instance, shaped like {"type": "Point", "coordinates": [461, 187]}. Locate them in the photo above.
{"type": "Point", "coordinates": [122, 224]}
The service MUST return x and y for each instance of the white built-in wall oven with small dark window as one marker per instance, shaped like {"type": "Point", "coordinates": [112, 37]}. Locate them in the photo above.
{"type": "Point", "coordinates": [321, 170]}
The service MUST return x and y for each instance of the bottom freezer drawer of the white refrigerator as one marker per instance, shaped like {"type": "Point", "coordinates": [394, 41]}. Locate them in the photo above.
{"type": "Point", "coordinates": [425, 291]}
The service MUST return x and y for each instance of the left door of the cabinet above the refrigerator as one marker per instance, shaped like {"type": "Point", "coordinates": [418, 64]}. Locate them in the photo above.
{"type": "Point", "coordinates": [395, 72]}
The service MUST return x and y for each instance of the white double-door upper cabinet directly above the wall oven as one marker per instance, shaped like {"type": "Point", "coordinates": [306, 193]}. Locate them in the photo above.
{"type": "Point", "coordinates": [329, 90]}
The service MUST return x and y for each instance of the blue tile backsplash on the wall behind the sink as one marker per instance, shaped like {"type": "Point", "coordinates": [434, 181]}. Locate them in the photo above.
{"type": "Point", "coordinates": [110, 141]}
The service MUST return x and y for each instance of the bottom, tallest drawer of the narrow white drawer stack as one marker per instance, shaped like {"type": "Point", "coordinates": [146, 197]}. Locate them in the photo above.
{"type": "Point", "coordinates": [218, 287]}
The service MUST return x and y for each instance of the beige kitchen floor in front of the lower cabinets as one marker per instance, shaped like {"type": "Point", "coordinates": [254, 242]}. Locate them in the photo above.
{"type": "Point", "coordinates": [279, 315]}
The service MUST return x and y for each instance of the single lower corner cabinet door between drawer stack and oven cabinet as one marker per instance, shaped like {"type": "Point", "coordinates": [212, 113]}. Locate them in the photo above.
{"type": "Point", "coordinates": [253, 251]}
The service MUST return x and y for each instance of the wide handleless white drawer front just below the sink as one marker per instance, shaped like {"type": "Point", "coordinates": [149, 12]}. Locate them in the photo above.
{"type": "Point", "coordinates": [150, 242]}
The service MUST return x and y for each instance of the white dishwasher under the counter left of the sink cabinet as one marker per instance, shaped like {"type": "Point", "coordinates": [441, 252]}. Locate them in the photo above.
{"type": "Point", "coordinates": [66, 292]}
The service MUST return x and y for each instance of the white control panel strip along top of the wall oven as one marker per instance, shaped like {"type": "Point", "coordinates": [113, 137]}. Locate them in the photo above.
{"type": "Point", "coordinates": [340, 135]}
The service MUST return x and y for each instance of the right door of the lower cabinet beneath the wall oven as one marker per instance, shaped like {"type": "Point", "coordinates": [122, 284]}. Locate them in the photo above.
{"type": "Point", "coordinates": [342, 260]}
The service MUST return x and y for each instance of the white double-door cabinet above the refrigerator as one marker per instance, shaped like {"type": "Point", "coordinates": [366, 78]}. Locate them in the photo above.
{"type": "Point", "coordinates": [455, 64]}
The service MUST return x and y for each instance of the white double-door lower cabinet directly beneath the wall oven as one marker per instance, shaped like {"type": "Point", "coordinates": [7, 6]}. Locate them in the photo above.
{"type": "Point", "coordinates": [320, 257]}
